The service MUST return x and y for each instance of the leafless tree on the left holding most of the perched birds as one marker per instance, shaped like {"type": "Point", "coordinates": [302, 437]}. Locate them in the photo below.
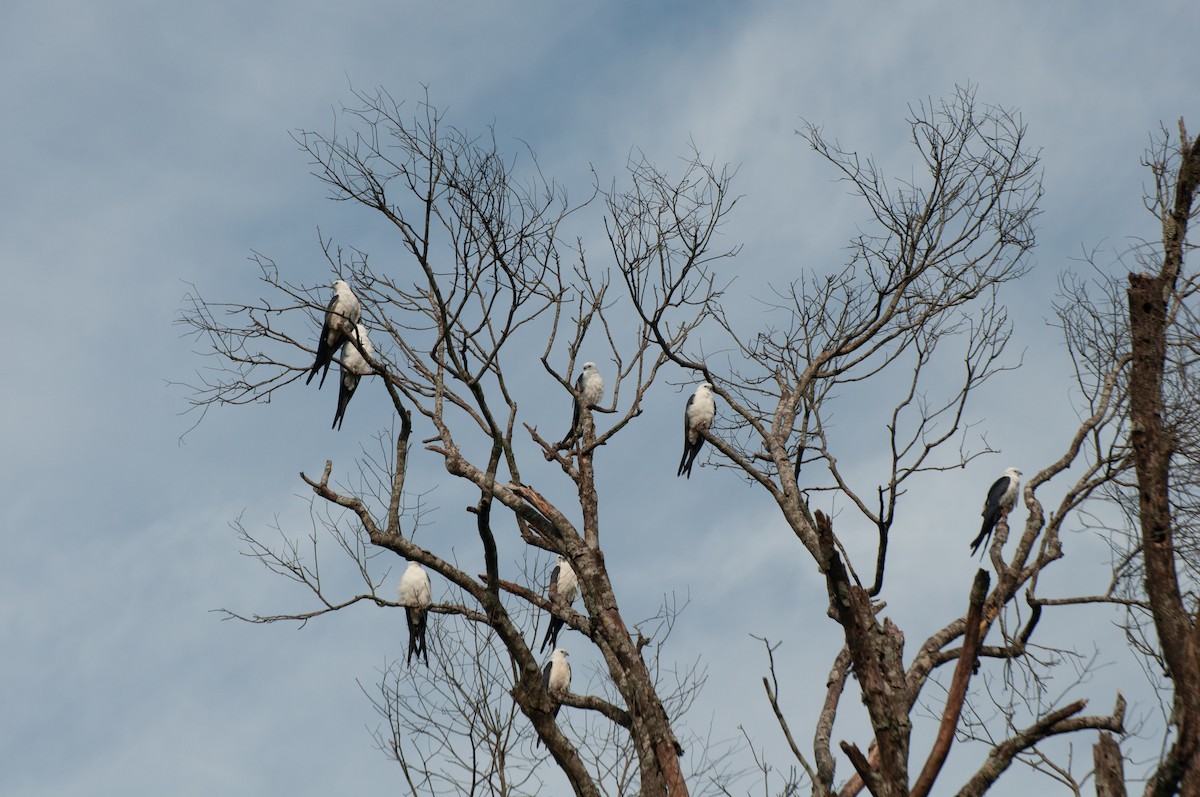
{"type": "Point", "coordinates": [489, 278]}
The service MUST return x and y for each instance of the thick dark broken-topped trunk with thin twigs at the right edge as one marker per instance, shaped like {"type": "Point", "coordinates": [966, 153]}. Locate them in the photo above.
{"type": "Point", "coordinates": [1157, 567]}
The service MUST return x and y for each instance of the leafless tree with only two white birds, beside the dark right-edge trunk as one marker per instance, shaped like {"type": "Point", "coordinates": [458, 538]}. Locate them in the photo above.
{"type": "Point", "coordinates": [919, 292]}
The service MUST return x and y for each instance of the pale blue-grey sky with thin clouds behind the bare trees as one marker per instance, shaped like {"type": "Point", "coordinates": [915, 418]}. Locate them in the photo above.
{"type": "Point", "coordinates": [147, 148]}
